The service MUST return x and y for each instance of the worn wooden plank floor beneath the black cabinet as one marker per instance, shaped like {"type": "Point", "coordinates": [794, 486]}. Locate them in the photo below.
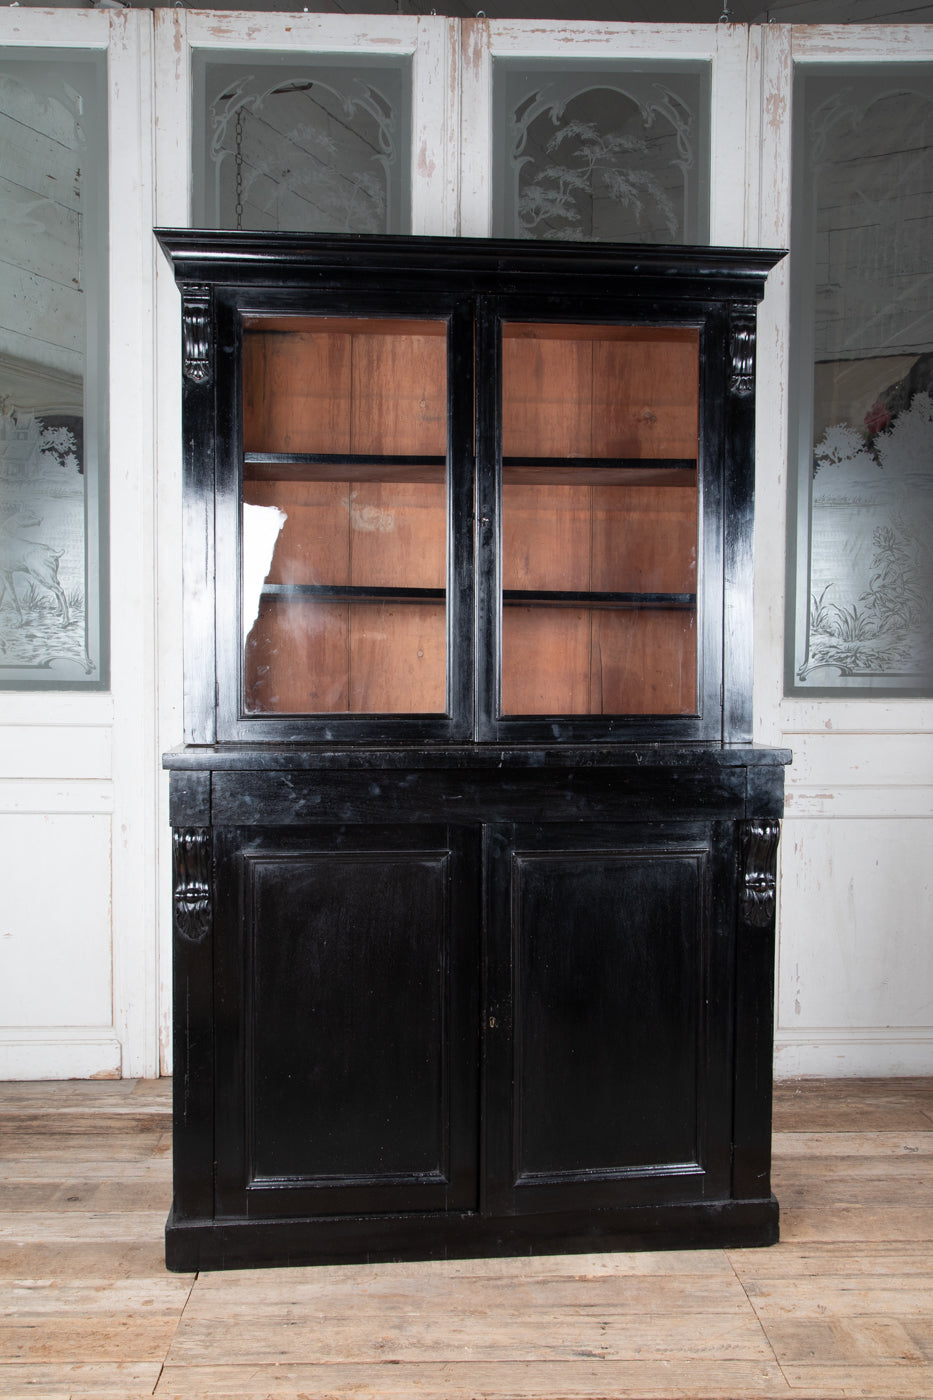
{"type": "Point", "coordinates": [843, 1307]}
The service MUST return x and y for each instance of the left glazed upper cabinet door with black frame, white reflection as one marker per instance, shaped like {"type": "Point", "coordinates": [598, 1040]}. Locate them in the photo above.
{"type": "Point", "coordinates": [345, 516]}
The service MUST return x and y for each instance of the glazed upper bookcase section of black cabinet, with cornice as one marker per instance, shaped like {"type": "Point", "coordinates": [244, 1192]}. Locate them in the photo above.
{"type": "Point", "coordinates": [506, 489]}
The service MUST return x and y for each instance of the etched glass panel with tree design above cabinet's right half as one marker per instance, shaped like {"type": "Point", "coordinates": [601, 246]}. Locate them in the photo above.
{"type": "Point", "coordinates": [606, 153]}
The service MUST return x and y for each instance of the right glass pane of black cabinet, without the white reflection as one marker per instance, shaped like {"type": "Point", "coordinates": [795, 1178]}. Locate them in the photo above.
{"type": "Point", "coordinates": [600, 520]}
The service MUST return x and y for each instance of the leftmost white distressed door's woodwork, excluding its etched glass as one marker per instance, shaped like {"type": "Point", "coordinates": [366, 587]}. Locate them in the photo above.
{"type": "Point", "coordinates": [78, 797]}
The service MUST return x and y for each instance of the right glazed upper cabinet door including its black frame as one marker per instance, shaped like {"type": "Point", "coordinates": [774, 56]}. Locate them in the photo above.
{"type": "Point", "coordinates": [600, 484]}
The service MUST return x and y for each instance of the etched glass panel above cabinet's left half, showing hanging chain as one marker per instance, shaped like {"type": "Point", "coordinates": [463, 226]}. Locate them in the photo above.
{"type": "Point", "coordinates": [305, 146]}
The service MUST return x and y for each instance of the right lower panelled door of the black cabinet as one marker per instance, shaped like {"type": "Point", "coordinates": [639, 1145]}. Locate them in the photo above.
{"type": "Point", "coordinates": [609, 1042]}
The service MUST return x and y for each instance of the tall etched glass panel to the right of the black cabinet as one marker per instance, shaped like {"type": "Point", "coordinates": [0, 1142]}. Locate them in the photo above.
{"type": "Point", "coordinates": [862, 415]}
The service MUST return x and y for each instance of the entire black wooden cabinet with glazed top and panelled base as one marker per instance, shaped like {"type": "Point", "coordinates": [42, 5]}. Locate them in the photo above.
{"type": "Point", "coordinates": [474, 856]}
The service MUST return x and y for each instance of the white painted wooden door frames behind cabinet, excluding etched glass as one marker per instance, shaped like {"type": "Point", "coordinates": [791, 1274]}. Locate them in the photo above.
{"type": "Point", "coordinates": [86, 932]}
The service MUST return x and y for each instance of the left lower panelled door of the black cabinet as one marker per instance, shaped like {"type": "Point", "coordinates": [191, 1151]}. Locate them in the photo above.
{"type": "Point", "coordinates": [347, 1011]}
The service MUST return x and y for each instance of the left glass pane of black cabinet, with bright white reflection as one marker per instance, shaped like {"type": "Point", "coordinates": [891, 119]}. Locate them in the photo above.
{"type": "Point", "coordinates": [345, 517]}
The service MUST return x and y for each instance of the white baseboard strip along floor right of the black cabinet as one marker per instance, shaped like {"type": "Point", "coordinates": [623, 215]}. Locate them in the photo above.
{"type": "Point", "coordinates": [859, 1053]}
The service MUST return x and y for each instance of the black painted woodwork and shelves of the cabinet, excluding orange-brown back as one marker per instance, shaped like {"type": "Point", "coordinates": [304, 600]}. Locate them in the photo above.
{"type": "Point", "coordinates": [469, 983]}
